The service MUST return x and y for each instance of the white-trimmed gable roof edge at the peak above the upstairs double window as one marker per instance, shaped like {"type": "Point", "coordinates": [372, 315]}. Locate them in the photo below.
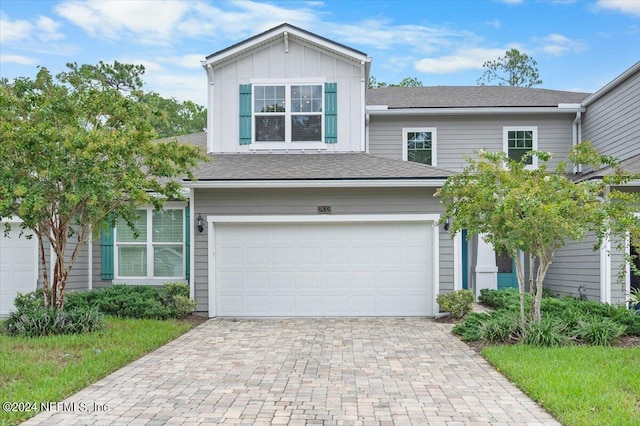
{"type": "Point", "coordinates": [280, 32]}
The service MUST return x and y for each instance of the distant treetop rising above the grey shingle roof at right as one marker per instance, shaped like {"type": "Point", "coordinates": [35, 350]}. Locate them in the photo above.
{"type": "Point", "coordinates": [512, 69]}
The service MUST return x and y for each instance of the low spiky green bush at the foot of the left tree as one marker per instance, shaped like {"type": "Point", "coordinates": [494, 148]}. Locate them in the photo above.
{"type": "Point", "coordinates": [40, 321]}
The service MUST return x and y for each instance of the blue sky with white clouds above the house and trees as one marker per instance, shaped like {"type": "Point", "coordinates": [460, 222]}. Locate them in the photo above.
{"type": "Point", "coordinates": [579, 45]}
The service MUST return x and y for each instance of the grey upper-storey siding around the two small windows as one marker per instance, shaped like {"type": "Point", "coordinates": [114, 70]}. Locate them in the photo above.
{"type": "Point", "coordinates": [463, 136]}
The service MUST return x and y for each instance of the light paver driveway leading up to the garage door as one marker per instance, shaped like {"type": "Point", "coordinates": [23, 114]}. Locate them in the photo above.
{"type": "Point", "coordinates": [306, 371]}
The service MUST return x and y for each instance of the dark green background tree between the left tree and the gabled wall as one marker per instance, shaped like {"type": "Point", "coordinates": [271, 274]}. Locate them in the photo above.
{"type": "Point", "coordinates": [172, 118]}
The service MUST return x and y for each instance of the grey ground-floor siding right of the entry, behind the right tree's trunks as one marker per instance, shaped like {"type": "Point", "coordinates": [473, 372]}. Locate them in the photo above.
{"type": "Point", "coordinates": [574, 265]}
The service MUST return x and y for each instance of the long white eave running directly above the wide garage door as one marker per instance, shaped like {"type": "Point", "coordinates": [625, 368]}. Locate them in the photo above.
{"type": "Point", "coordinates": [318, 183]}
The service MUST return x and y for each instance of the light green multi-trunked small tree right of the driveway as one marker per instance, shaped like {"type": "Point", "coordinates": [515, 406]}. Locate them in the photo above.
{"type": "Point", "coordinates": [536, 211]}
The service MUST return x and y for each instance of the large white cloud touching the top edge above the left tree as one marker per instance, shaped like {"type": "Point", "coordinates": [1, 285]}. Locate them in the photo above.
{"type": "Point", "coordinates": [141, 21]}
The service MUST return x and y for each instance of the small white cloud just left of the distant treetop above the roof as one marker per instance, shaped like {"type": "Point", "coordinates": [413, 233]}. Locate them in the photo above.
{"type": "Point", "coordinates": [463, 59]}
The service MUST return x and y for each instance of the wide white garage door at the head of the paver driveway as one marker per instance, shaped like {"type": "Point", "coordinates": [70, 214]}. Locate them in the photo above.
{"type": "Point", "coordinates": [324, 269]}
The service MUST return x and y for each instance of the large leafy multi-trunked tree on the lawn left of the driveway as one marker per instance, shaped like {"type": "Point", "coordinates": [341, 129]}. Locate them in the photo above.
{"type": "Point", "coordinates": [77, 153]}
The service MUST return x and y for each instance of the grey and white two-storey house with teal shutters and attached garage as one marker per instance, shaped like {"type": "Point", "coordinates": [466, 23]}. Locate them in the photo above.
{"type": "Point", "coordinates": [319, 196]}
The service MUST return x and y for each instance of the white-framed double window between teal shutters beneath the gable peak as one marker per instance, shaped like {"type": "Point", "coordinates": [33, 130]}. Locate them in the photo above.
{"type": "Point", "coordinates": [287, 114]}
